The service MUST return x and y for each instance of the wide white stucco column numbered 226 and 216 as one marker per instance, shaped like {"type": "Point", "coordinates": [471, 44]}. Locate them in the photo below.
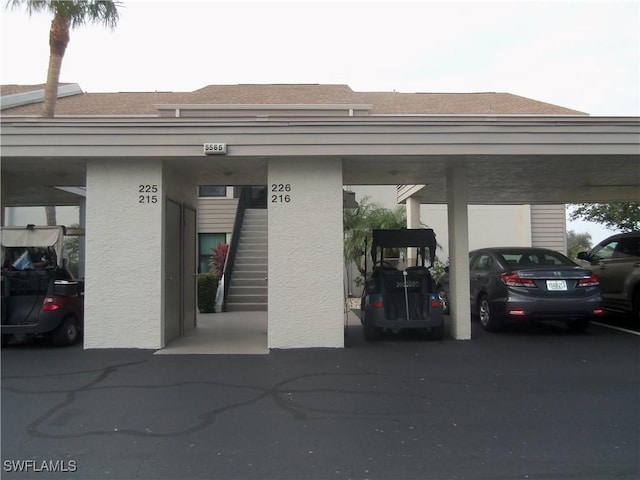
{"type": "Point", "coordinates": [306, 294]}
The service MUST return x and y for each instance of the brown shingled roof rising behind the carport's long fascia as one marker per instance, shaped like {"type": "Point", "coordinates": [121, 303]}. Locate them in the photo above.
{"type": "Point", "coordinates": [374, 103]}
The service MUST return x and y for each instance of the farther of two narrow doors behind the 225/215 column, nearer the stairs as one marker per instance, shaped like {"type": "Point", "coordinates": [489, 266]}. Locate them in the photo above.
{"type": "Point", "coordinates": [189, 271]}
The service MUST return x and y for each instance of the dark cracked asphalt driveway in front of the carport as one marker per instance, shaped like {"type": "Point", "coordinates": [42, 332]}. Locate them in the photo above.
{"type": "Point", "coordinates": [533, 402]}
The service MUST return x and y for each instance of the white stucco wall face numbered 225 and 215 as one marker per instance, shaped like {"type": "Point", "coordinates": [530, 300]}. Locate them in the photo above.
{"type": "Point", "coordinates": [123, 298]}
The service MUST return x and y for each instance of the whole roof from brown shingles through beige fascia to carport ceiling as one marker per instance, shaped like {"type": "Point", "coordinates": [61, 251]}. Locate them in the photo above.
{"type": "Point", "coordinates": [515, 150]}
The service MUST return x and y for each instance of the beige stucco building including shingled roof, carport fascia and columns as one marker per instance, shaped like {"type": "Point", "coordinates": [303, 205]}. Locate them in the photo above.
{"type": "Point", "coordinates": [138, 159]}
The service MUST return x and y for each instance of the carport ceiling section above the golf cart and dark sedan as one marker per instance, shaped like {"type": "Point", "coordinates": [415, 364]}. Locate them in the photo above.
{"type": "Point", "coordinates": [508, 180]}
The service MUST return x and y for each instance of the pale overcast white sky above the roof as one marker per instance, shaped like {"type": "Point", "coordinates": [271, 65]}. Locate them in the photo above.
{"type": "Point", "coordinates": [579, 54]}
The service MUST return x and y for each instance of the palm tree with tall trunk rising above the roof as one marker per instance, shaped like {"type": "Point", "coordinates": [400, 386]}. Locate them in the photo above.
{"type": "Point", "coordinates": [67, 14]}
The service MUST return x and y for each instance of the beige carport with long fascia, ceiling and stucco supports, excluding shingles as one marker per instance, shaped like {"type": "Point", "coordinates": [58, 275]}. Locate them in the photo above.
{"type": "Point", "coordinates": [124, 163]}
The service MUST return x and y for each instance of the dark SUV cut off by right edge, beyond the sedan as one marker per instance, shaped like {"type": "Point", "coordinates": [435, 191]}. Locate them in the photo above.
{"type": "Point", "coordinates": [616, 262]}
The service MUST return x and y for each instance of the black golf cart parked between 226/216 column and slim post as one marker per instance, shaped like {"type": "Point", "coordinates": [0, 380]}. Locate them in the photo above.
{"type": "Point", "coordinates": [395, 299]}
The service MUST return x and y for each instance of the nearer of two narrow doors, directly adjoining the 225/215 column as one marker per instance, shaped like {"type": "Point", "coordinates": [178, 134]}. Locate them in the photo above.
{"type": "Point", "coordinates": [173, 271]}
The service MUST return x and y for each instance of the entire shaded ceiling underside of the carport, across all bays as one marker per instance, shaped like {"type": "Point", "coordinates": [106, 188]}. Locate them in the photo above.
{"type": "Point", "coordinates": [512, 180]}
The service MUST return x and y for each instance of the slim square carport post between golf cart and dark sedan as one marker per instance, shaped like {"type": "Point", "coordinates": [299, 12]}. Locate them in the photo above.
{"type": "Point", "coordinates": [458, 217]}
